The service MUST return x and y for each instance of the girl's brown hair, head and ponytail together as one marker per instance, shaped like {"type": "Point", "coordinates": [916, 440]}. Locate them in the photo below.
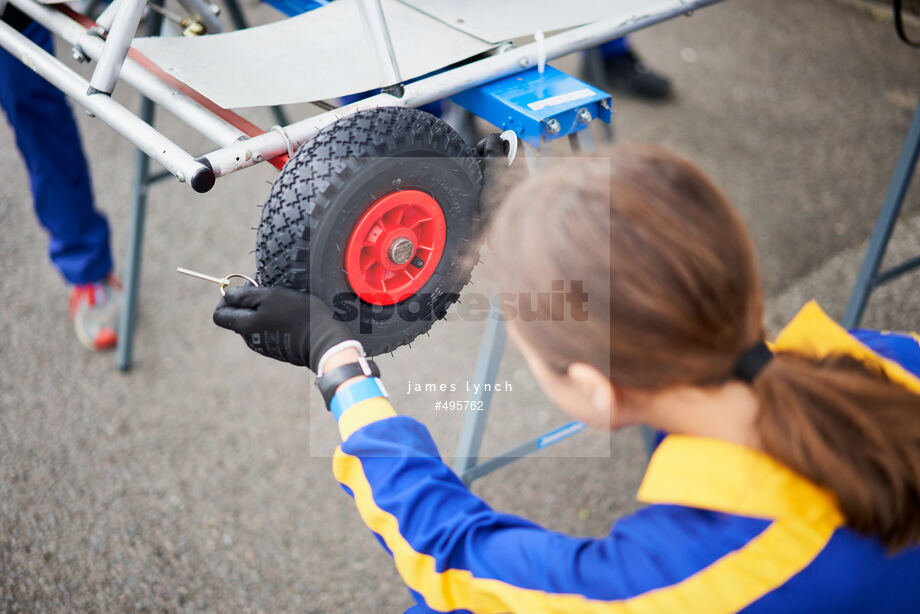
{"type": "Point", "coordinates": [684, 299]}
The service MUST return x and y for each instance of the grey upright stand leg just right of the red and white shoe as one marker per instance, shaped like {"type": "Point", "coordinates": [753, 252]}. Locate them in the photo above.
{"type": "Point", "coordinates": [127, 319]}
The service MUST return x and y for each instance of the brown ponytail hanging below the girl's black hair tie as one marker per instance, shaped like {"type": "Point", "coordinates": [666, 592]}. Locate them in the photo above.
{"type": "Point", "coordinates": [850, 430]}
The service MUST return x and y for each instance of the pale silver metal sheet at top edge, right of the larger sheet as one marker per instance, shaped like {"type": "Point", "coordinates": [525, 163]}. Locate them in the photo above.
{"type": "Point", "coordinates": [498, 20]}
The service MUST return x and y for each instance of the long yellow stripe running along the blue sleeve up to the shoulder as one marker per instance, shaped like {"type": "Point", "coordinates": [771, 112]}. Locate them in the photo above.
{"type": "Point", "coordinates": [786, 547]}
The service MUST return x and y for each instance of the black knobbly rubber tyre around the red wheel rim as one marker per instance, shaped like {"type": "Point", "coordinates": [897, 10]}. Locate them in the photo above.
{"type": "Point", "coordinates": [332, 180]}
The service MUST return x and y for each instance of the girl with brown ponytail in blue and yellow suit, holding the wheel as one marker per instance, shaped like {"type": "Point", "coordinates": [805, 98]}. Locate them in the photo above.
{"type": "Point", "coordinates": [789, 478]}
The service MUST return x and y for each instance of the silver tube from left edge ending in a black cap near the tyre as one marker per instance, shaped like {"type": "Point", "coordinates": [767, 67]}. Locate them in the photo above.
{"type": "Point", "coordinates": [176, 160]}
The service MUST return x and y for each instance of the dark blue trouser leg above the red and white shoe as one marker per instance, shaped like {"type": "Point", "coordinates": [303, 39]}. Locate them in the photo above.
{"type": "Point", "coordinates": [47, 137]}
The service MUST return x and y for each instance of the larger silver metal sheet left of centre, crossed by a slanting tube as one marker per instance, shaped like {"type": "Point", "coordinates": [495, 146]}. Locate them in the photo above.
{"type": "Point", "coordinates": [318, 55]}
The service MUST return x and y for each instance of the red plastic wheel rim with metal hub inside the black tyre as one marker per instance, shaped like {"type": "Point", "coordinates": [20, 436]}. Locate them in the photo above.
{"type": "Point", "coordinates": [395, 247]}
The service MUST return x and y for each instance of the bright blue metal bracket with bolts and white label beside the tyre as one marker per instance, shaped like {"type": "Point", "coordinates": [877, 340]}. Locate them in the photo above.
{"type": "Point", "coordinates": [538, 106]}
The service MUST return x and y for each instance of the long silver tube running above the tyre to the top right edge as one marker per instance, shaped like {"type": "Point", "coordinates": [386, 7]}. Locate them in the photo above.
{"type": "Point", "coordinates": [266, 146]}
